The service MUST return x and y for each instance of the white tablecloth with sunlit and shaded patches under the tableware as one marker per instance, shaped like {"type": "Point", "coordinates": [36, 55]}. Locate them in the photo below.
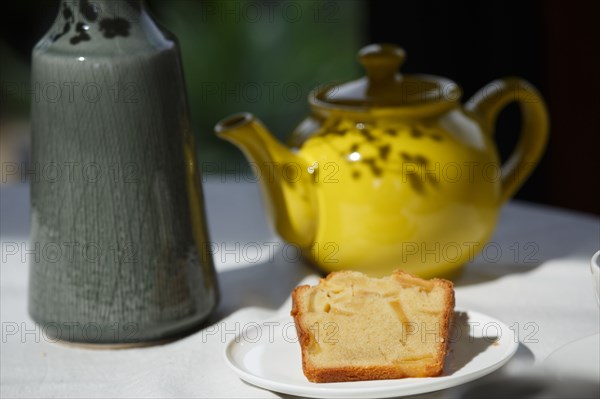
{"type": "Point", "coordinates": [534, 277]}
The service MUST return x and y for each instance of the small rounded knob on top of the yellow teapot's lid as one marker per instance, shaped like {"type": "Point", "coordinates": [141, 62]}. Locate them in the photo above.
{"type": "Point", "coordinates": [381, 61]}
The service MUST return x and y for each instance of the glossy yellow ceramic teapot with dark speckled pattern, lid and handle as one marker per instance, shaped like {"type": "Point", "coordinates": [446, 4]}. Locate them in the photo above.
{"type": "Point", "coordinates": [391, 171]}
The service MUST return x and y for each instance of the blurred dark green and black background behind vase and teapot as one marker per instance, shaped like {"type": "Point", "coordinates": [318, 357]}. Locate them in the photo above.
{"type": "Point", "coordinates": [264, 56]}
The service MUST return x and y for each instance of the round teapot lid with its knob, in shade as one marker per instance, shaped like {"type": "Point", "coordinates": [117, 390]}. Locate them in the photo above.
{"type": "Point", "coordinates": [384, 87]}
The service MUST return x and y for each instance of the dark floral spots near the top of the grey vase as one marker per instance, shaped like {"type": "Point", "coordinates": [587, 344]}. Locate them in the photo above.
{"type": "Point", "coordinates": [110, 27]}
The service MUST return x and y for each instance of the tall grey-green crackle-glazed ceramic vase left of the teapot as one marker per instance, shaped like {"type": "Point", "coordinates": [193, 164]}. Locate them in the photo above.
{"type": "Point", "coordinates": [118, 226]}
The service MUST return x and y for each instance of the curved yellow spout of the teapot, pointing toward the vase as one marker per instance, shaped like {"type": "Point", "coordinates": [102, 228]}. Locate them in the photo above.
{"type": "Point", "coordinates": [284, 177]}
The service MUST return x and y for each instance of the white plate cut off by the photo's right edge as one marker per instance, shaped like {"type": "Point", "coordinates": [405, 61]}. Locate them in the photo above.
{"type": "Point", "coordinates": [579, 358]}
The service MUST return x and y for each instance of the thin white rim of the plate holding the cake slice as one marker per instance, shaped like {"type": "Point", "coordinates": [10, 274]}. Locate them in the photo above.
{"type": "Point", "coordinates": [395, 388]}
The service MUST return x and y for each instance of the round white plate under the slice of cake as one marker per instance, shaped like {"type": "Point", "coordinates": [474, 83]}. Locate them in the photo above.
{"type": "Point", "coordinates": [268, 355]}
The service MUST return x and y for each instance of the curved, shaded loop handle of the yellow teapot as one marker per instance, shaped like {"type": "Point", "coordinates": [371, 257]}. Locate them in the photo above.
{"type": "Point", "coordinates": [489, 101]}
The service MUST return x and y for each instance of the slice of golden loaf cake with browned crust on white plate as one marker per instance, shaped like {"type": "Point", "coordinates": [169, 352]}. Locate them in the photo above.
{"type": "Point", "coordinates": [352, 327]}
